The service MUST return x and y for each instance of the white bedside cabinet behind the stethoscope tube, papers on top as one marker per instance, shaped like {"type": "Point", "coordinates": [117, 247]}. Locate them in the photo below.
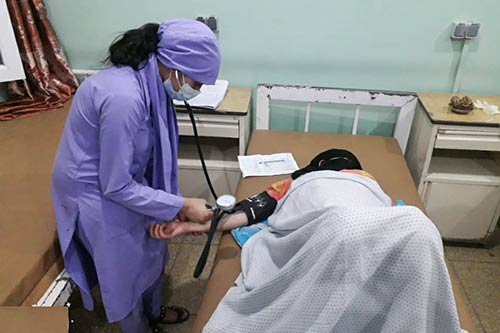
{"type": "Point", "coordinates": [223, 135]}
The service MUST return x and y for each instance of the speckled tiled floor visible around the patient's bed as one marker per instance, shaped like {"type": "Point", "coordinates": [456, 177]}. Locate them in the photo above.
{"type": "Point", "coordinates": [478, 270]}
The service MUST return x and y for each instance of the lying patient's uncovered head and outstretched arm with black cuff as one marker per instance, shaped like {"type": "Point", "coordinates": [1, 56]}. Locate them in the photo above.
{"type": "Point", "coordinates": [259, 207]}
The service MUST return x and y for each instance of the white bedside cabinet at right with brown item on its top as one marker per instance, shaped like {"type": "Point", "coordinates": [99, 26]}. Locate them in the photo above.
{"type": "Point", "coordinates": [454, 161]}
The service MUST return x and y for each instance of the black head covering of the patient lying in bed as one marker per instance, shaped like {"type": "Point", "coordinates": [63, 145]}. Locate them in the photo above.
{"type": "Point", "coordinates": [333, 159]}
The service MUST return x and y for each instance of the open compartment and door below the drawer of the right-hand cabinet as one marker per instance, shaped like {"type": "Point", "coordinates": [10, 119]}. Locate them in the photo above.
{"type": "Point", "coordinates": [461, 193]}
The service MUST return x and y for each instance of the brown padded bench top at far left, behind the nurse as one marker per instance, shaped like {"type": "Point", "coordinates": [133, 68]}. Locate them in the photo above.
{"type": "Point", "coordinates": [29, 244]}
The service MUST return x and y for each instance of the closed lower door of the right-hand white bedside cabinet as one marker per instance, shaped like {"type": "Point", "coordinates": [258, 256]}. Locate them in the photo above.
{"type": "Point", "coordinates": [462, 211]}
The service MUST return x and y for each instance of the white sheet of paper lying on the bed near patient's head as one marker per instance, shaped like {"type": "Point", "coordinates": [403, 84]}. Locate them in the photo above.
{"type": "Point", "coordinates": [267, 165]}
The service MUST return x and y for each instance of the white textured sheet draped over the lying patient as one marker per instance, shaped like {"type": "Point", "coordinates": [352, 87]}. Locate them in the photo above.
{"type": "Point", "coordinates": [340, 263]}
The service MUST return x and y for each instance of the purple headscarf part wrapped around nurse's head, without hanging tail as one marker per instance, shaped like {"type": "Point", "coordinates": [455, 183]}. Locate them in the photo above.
{"type": "Point", "coordinates": [190, 47]}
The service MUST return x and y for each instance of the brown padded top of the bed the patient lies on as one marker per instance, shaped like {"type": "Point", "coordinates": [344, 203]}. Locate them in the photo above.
{"type": "Point", "coordinates": [380, 156]}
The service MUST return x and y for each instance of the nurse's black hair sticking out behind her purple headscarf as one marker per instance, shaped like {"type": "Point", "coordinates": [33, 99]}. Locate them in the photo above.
{"type": "Point", "coordinates": [133, 47]}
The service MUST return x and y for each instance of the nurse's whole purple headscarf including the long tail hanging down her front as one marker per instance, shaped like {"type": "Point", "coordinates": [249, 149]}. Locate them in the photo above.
{"type": "Point", "coordinates": [190, 47]}
